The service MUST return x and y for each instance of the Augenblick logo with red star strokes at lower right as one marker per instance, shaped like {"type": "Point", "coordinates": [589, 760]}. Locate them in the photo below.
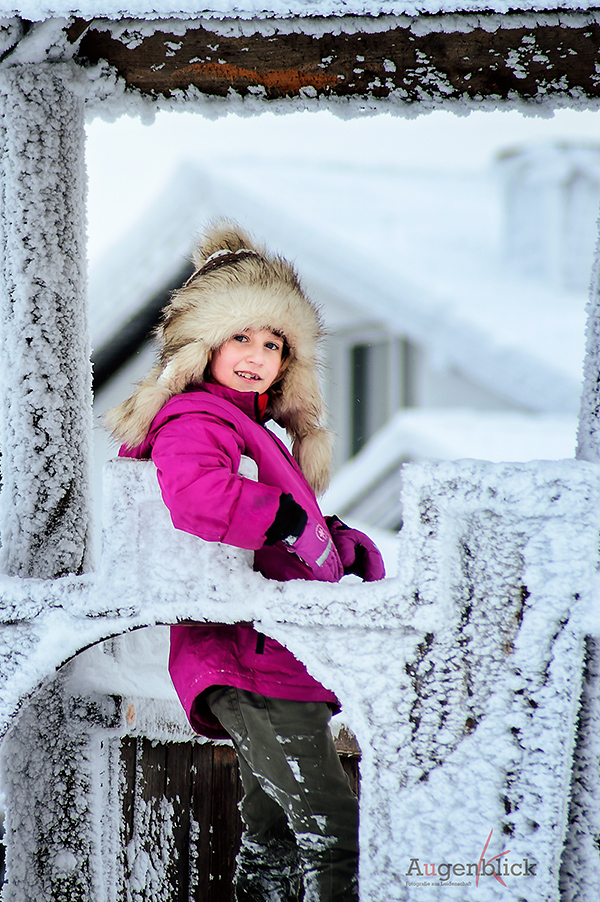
{"type": "Point", "coordinates": [497, 867]}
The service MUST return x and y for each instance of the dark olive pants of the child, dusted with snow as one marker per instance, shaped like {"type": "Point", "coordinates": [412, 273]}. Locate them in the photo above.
{"type": "Point", "coordinates": [300, 815]}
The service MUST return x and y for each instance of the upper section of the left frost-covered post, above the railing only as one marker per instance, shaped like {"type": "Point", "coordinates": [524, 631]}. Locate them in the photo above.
{"type": "Point", "coordinates": [45, 376]}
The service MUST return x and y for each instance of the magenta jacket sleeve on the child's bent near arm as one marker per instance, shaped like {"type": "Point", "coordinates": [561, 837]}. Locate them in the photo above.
{"type": "Point", "coordinates": [197, 456]}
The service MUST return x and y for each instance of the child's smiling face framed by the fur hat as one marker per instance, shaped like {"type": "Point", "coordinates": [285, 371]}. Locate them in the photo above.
{"type": "Point", "coordinates": [249, 361]}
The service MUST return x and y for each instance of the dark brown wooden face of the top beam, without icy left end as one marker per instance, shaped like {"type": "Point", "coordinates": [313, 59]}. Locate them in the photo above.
{"type": "Point", "coordinates": [411, 60]}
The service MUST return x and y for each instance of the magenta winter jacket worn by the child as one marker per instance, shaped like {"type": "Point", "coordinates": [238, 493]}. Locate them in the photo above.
{"type": "Point", "coordinates": [196, 442]}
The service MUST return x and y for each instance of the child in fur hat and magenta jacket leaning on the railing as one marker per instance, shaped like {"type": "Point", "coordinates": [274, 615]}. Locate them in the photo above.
{"type": "Point", "coordinates": [238, 346]}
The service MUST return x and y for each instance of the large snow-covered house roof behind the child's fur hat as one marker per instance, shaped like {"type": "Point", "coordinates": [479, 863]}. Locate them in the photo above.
{"type": "Point", "coordinates": [416, 252]}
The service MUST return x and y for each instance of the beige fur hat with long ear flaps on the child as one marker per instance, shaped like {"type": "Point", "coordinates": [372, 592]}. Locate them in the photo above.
{"type": "Point", "coordinates": [237, 285]}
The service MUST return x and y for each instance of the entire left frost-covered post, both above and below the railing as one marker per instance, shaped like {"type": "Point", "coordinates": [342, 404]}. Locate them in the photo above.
{"type": "Point", "coordinates": [45, 439]}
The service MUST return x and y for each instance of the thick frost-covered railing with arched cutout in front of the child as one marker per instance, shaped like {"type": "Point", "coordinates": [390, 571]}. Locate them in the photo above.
{"type": "Point", "coordinates": [461, 677]}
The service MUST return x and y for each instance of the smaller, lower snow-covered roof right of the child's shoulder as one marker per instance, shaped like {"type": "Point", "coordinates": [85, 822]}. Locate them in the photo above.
{"type": "Point", "coordinates": [434, 434]}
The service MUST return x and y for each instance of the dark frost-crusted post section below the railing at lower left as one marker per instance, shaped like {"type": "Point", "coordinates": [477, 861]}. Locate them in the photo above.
{"type": "Point", "coordinates": [50, 774]}
